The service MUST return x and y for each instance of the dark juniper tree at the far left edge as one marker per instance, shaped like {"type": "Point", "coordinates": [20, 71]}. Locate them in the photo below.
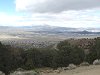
{"type": "Point", "coordinates": [6, 61]}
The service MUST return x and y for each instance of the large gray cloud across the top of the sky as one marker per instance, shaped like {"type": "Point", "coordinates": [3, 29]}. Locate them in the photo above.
{"type": "Point", "coordinates": [56, 6]}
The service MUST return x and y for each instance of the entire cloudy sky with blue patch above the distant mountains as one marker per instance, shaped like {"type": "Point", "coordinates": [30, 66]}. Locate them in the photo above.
{"type": "Point", "coordinates": [64, 13]}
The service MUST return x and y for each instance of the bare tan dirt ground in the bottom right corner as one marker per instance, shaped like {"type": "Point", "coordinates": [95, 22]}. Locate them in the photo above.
{"type": "Point", "coordinates": [91, 70]}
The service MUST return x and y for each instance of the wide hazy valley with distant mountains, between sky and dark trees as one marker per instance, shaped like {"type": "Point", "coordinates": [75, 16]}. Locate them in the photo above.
{"type": "Point", "coordinates": [43, 35]}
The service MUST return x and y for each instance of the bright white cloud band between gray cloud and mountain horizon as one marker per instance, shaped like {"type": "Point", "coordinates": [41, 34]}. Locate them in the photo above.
{"type": "Point", "coordinates": [83, 18]}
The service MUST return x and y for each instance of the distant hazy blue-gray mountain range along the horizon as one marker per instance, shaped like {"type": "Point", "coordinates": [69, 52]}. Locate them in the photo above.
{"type": "Point", "coordinates": [47, 29]}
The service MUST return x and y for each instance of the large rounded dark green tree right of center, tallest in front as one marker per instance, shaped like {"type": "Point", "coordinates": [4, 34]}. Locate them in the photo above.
{"type": "Point", "coordinates": [69, 54]}
